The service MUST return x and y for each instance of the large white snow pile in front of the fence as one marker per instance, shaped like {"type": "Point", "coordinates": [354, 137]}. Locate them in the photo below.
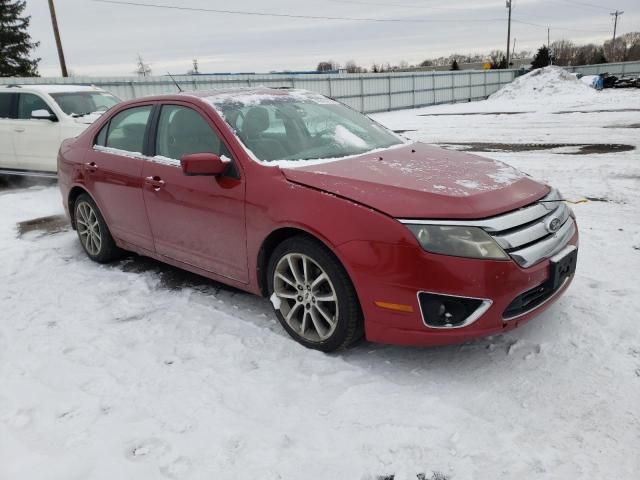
{"type": "Point", "coordinates": [543, 83]}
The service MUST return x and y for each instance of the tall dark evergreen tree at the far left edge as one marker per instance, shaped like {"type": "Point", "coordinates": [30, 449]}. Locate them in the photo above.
{"type": "Point", "coordinates": [15, 41]}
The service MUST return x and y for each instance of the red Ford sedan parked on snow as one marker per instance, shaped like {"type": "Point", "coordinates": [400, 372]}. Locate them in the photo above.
{"type": "Point", "coordinates": [347, 228]}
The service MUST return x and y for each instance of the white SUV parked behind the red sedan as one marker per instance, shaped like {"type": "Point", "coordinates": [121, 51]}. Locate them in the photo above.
{"type": "Point", "coordinates": [35, 119]}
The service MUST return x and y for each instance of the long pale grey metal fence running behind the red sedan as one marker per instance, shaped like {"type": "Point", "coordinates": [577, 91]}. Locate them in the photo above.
{"type": "Point", "coordinates": [368, 92]}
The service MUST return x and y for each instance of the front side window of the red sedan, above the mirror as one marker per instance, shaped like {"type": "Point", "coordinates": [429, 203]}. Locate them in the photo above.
{"type": "Point", "coordinates": [182, 131]}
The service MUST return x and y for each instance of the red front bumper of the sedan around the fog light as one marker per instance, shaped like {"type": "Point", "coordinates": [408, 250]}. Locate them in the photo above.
{"type": "Point", "coordinates": [394, 274]}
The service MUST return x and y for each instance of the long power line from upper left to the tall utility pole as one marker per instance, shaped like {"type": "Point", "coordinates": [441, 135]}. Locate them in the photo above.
{"type": "Point", "coordinates": [289, 15]}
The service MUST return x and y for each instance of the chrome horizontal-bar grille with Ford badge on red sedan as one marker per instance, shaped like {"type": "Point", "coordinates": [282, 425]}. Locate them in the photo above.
{"type": "Point", "coordinates": [524, 233]}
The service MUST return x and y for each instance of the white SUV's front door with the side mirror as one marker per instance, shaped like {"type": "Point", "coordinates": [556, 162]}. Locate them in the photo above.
{"type": "Point", "coordinates": [35, 141]}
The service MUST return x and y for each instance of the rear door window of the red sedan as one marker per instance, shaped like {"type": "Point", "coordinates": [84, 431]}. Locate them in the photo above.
{"type": "Point", "coordinates": [127, 128]}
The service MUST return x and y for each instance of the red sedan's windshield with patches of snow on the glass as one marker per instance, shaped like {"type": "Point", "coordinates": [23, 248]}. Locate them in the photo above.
{"type": "Point", "coordinates": [299, 127]}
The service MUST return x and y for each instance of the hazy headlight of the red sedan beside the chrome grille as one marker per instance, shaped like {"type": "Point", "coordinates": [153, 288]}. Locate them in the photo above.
{"type": "Point", "coordinates": [469, 242]}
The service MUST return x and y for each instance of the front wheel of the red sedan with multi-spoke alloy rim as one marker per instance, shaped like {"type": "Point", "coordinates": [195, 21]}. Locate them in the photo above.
{"type": "Point", "coordinates": [317, 305]}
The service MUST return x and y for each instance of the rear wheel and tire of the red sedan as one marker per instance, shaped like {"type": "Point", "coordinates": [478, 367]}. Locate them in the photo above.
{"type": "Point", "coordinates": [94, 235]}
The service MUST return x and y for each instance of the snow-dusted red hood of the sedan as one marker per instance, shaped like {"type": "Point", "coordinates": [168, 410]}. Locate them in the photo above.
{"type": "Point", "coordinates": [423, 181]}
